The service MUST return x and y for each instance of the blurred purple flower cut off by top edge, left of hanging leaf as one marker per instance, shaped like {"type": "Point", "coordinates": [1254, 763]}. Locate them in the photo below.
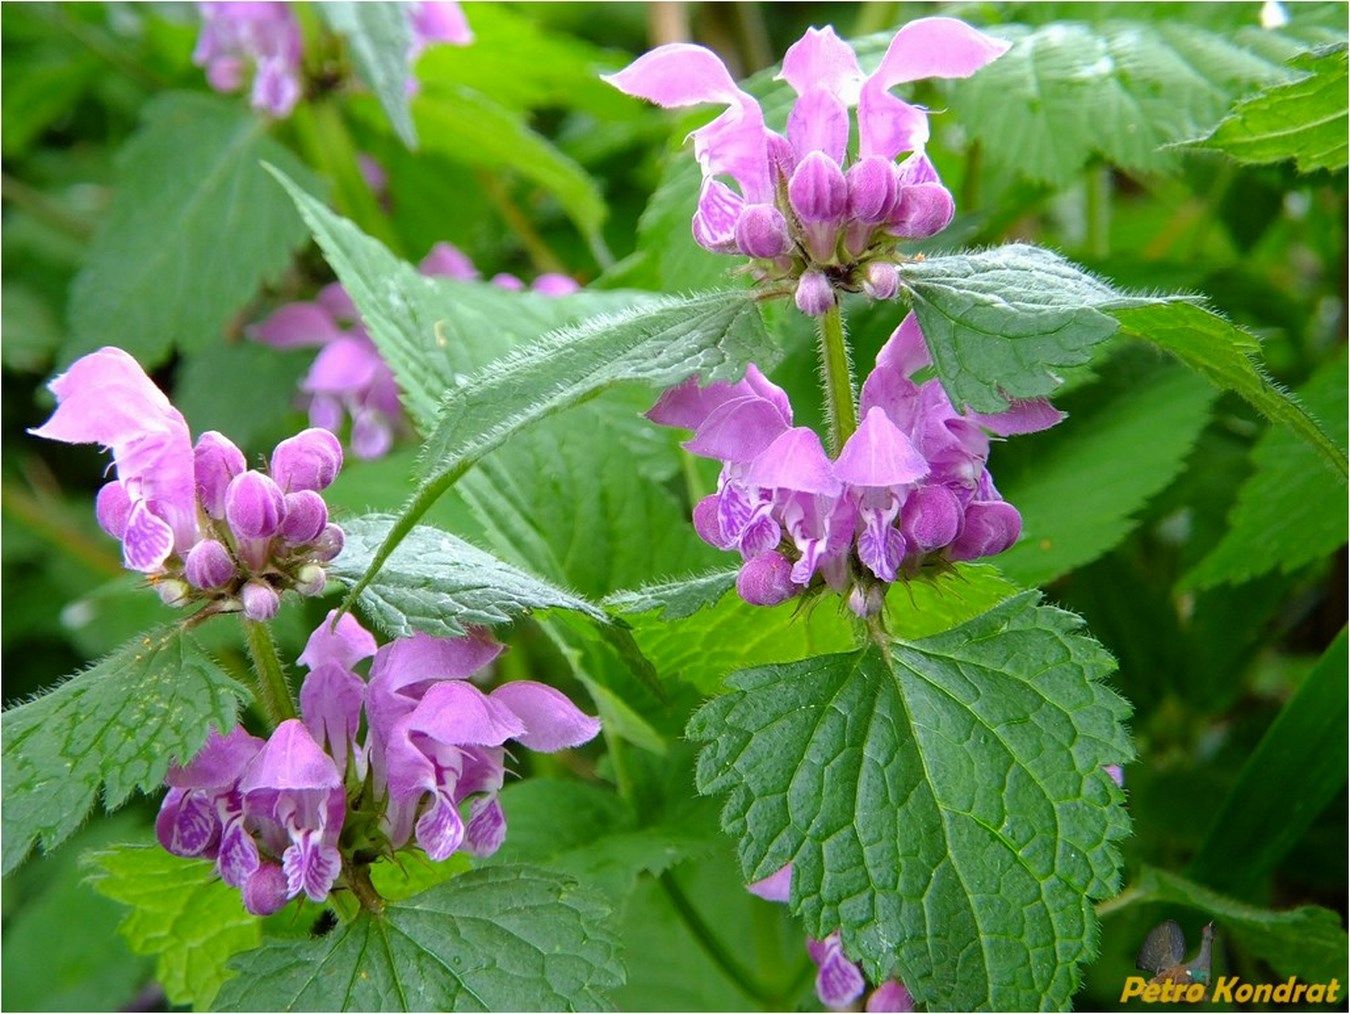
{"type": "Point", "coordinates": [264, 37]}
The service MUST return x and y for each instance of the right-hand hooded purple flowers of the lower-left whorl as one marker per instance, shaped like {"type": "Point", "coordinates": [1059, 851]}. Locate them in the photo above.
{"type": "Point", "coordinates": [437, 741]}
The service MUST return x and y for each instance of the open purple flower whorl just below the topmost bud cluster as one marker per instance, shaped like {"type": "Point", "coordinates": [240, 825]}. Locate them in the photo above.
{"type": "Point", "coordinates": [908, 491]}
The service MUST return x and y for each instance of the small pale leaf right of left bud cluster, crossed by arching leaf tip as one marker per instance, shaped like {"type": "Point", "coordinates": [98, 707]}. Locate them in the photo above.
{"type": "Point", "coordinates": [439, 585]}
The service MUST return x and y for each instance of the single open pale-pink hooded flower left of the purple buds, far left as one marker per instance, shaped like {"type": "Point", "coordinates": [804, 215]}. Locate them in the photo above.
{"type": "Point", "coordinates": [107, 399]}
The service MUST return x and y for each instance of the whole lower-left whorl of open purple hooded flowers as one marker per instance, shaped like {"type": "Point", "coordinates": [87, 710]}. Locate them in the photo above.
{"type": "Point", "coordinates": [287, 816]}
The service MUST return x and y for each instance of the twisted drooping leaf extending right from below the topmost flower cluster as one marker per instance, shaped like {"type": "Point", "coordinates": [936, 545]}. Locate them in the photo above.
{"type": "Point", "coordinates": [1001, 322]}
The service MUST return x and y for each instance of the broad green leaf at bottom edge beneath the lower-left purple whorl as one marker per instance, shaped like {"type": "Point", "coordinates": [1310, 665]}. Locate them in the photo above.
{"type": "Point", "coordinates": [499, 939]}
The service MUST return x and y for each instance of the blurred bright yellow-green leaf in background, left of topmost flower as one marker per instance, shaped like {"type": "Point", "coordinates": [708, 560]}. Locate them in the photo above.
{"type": "Point", "coordinates": [466, 126]}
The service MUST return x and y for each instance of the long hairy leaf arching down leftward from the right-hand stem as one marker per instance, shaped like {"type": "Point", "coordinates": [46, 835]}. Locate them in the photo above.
{"type": "Point", "coordinates": [661, 344]}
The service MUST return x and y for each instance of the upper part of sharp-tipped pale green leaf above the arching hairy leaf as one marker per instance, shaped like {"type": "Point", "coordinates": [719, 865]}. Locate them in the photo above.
{"type": "Point", "coordinates": [434, 333]}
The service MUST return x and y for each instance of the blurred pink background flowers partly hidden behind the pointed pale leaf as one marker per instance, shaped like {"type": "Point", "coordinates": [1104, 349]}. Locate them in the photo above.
{"type": "Point", "coordinates": [350, 377]}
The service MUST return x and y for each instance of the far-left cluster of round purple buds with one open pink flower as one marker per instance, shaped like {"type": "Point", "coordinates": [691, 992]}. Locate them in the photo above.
{"type": "Point", "coordinates": [195, 518]}
